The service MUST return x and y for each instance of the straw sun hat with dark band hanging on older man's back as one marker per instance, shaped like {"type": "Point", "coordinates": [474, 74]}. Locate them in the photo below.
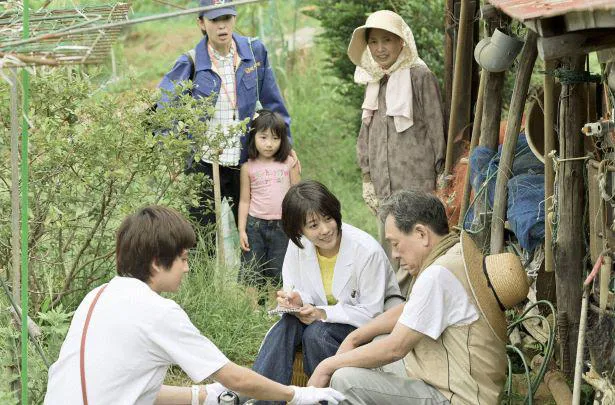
{"type": "Point", "coordinates": [498, 282]}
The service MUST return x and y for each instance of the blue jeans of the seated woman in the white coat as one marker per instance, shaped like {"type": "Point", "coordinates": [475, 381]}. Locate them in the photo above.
{"type": "Point", "coordinates": [319, 340]}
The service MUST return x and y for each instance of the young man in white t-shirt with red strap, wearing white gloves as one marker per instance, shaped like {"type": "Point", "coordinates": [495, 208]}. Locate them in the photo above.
{"type": "Point", "coordinates": [124, 336]}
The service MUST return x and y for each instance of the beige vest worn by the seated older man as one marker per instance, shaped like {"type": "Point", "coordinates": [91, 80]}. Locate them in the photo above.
{"type": "Point", "coordinates": [466, 363]}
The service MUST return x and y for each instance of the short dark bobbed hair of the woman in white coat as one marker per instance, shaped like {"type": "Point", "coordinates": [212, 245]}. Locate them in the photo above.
{"type": "Point", "coordinates": [305, 198]}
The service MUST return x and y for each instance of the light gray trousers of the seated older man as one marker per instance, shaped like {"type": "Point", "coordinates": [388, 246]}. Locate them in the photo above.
{"type": "Point", "coordinates": [389, 385]}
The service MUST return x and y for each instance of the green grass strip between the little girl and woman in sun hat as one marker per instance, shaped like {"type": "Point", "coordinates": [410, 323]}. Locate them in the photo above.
{"type": "Point", "coordinates": [324, 132]}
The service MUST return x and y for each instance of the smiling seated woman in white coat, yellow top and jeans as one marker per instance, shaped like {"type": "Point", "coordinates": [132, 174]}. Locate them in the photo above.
{"type": "Point", "coordinates": [338, 275]}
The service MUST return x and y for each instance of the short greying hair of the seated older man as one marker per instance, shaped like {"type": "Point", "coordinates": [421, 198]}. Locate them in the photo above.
{"type": "Point", "coordinates": [411, 207]}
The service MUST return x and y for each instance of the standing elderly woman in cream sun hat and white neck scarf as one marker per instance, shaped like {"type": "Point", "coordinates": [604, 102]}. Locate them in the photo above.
{"type": "Point", "coordinates": [401, 143]}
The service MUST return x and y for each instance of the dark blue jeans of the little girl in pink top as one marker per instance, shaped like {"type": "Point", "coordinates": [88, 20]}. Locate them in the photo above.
{"type": "Point", "coordinates": [264, 261]}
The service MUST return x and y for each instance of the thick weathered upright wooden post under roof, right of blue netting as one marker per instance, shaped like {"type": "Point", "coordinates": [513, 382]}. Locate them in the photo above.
{"type": "Point", "coordinates": [570, 245]}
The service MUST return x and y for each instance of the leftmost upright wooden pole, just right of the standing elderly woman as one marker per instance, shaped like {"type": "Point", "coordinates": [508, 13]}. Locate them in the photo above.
{"type": "Point", "coordinates": [460, 108]}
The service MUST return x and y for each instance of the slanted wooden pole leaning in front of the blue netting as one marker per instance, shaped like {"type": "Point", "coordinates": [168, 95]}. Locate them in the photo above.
{"type": "Point", "coordinates": [515, 113]}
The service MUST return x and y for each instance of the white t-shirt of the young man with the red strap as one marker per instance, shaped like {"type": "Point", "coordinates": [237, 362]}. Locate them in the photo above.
{"type": "Point", "coordinates": [133, 337]}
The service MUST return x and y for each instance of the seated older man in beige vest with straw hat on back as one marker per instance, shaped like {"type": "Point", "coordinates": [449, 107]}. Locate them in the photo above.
{"type": "Point", "coordinates": [451, 332]}
